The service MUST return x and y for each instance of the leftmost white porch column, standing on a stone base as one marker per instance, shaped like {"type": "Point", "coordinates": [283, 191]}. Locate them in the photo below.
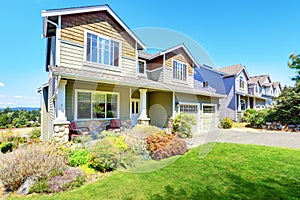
{"type": "Point", "coordinates": [60, 102]}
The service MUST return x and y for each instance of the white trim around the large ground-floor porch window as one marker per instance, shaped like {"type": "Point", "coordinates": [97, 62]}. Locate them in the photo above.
{"type": "Point", "coordinates": [93, 92]}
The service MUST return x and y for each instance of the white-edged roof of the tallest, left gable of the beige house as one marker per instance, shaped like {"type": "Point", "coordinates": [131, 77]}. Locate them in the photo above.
{"type": "Point", "coordinates": [85, 9]}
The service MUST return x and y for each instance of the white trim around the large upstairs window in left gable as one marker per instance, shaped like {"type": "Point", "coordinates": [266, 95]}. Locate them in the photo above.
{"type": "Point", "coordinates": [106, 38]}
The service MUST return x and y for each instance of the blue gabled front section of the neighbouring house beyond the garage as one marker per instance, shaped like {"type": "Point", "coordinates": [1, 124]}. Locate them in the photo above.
{"type": "Point", "coordinates": [242, 92]}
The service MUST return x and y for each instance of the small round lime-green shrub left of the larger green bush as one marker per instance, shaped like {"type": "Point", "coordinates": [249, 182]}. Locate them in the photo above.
{"type": "Point", "coordinates": [79, 157]}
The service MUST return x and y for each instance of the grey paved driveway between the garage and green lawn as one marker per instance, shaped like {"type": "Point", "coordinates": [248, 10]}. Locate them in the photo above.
{"type": "Point", "coordinates": [247, 136]}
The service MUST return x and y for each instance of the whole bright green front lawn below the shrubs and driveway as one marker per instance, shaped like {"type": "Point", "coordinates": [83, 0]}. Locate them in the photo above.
{"type": "Point", "coordinates": [229, 171]}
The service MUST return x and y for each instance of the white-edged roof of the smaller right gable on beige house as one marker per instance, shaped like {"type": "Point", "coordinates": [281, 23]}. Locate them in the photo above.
{"type": "Point", "coordinates": [185, 49]}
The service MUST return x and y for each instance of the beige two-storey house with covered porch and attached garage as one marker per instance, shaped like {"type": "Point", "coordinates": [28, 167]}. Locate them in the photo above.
{"type": "Point", "coordinates": [99, 70]}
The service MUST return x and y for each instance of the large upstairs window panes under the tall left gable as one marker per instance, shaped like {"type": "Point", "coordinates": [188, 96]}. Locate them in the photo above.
{"type": "Point", "coordinates": [101, 50]}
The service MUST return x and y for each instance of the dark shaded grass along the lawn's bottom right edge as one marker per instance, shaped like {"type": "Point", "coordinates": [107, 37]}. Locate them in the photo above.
{"type": "Point", "coordinates": [238, 188]}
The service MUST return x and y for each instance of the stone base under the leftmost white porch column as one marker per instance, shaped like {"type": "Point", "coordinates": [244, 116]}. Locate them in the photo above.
{"type": "Point", "coordinates": [60, 132]}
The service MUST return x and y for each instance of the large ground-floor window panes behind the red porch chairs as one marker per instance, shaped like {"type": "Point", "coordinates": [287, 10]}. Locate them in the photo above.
{"type": "Point", "coordinates": [94, 105]}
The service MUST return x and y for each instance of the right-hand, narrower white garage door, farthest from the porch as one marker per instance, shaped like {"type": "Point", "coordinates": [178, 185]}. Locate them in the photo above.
{"type": "Point", "coordinates": [209, 117]}
